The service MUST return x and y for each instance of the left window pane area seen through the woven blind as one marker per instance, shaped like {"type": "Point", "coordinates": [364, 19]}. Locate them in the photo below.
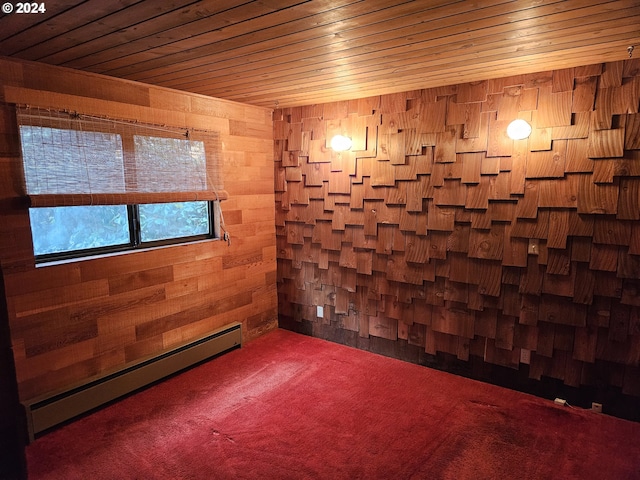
{"type": "Point", "coordinates": [71, 161]}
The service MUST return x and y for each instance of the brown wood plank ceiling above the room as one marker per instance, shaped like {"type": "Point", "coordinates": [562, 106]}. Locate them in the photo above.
{"type": "Point", "coordinates": [280, 53]}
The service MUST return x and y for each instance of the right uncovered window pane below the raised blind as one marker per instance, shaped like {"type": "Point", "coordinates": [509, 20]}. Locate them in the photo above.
{"type": "Point", "coordinates": [161, 221]}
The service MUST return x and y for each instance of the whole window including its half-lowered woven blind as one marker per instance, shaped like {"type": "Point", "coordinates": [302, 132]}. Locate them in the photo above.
{"type": "Point", "coordinates": [100, 186]}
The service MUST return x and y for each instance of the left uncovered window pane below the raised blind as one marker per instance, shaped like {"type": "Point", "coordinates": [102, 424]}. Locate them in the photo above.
{"type": "Point", "coordinates": [65, 229]}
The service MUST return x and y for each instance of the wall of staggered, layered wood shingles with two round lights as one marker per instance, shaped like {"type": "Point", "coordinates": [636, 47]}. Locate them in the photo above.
{"type": "Point", "coordinates": [437, 230]}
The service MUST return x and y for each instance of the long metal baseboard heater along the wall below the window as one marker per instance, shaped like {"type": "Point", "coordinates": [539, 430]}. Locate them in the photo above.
{"type": "Point", "coordinates": [43, 413]}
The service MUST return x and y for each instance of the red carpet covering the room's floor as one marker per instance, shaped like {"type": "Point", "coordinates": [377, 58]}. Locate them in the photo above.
{"type": "Point", "coordinates": [287, 406]}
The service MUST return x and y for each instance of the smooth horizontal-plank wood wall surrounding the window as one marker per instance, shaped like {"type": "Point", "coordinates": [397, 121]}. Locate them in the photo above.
{"type": "Point", "coordinates": [73, 321]}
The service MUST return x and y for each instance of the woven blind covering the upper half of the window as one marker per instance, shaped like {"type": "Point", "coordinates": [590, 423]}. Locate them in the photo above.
{"type": "Point", "coordinates": [72, 159]}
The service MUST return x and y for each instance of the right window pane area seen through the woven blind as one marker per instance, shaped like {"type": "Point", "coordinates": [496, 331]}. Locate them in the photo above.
{"type": "Point", "coordinates": [170, 164]}
